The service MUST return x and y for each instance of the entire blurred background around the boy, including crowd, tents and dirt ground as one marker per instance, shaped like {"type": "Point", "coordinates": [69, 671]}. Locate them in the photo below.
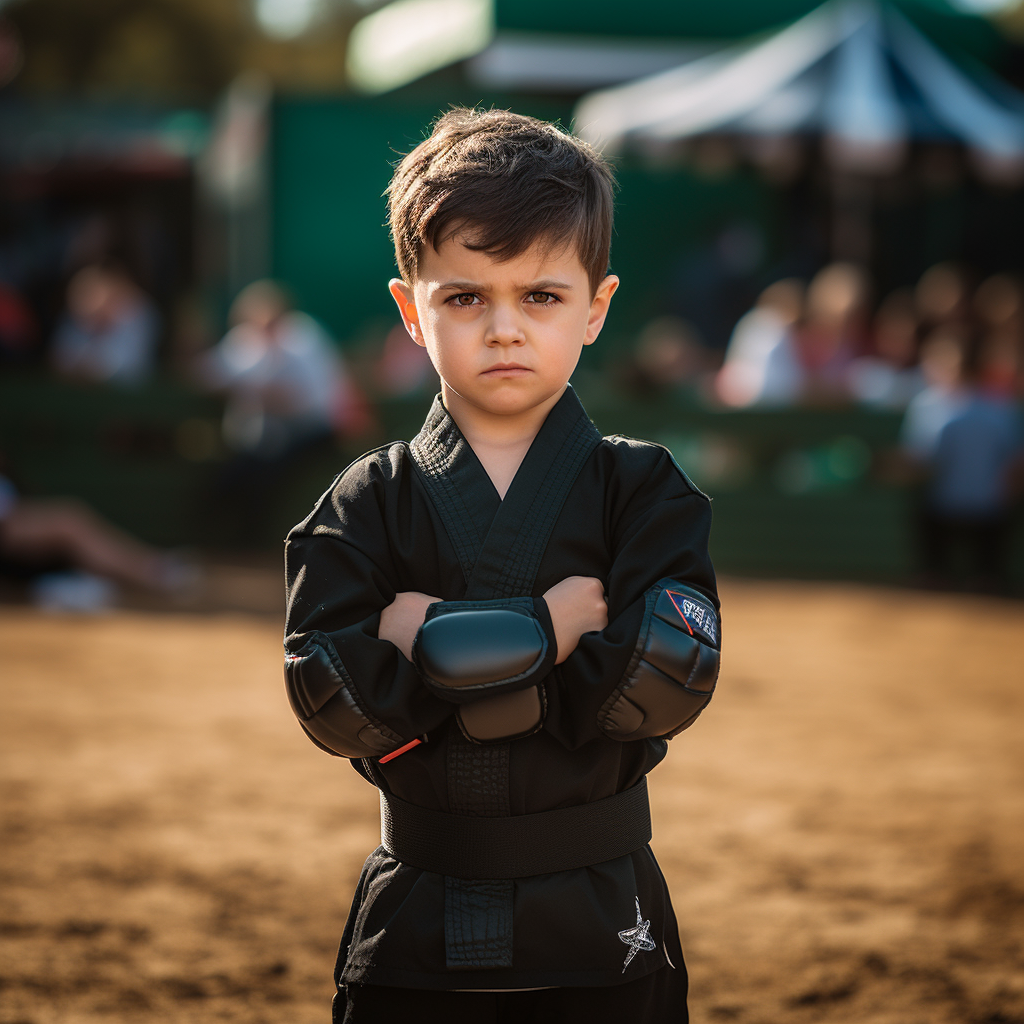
{"type": "Point", "coordinates": [819, 235]}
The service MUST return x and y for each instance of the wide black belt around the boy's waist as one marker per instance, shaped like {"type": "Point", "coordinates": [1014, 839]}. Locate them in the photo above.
{"type": "Point", "coordinates": [464, 847]}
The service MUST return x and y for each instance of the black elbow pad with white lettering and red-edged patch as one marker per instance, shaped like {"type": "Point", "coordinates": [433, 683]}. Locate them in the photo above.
{"type": "Point", "coordinates": [672, 674]}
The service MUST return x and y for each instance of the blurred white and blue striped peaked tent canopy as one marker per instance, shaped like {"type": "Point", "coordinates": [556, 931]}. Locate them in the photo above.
{"type": "Point", "coordinates": [855, 72]}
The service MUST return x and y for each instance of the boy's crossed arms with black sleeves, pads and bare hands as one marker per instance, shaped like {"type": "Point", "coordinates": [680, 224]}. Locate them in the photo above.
{"type": "Point", "coordinates": [359, 658]}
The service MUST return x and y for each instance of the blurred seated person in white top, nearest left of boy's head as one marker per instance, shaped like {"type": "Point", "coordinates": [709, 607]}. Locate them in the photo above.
{"type": "Point", "coordinates": [284, 378]}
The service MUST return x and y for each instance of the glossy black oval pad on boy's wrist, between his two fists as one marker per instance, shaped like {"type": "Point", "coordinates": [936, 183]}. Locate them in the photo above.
{"type": "Point", "coordinates": [466, 651]}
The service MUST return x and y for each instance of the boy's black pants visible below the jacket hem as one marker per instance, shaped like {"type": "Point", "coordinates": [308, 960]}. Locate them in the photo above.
{"type": "Point", "coordinates": [657, 999]}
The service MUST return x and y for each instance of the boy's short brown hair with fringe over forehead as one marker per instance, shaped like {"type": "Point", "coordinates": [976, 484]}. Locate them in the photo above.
{"type": "Point", "coordinates": [511, 180]}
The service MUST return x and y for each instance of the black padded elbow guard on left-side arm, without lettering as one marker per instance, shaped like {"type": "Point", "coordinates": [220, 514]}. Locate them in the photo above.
{"type": "Point", "coordinates": [326, 703]}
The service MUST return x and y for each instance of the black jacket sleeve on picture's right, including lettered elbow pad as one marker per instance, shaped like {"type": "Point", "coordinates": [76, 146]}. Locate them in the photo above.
{"type": "Point", "coordinates": [652, 671]}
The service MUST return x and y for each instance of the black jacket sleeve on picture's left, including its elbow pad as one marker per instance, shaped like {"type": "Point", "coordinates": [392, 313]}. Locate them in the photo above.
{"type": "Point", "coordinates": [355, 695]}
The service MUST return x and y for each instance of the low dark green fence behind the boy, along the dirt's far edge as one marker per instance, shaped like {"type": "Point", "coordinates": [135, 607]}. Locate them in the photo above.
{"type": "Point", "coordinates": [796, 493]}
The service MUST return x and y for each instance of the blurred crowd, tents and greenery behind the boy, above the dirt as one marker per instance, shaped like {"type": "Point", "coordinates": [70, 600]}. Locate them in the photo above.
{"type": "Point", "coordinates": [818, 234]}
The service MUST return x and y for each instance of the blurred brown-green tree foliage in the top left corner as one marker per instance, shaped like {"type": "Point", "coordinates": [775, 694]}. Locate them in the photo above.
{"type": "Point", "coordinates": [180, 51]}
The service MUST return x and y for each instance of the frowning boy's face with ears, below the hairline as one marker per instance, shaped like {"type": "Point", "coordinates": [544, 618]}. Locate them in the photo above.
{"type": "Point", "coordinates": [503, 337]}
